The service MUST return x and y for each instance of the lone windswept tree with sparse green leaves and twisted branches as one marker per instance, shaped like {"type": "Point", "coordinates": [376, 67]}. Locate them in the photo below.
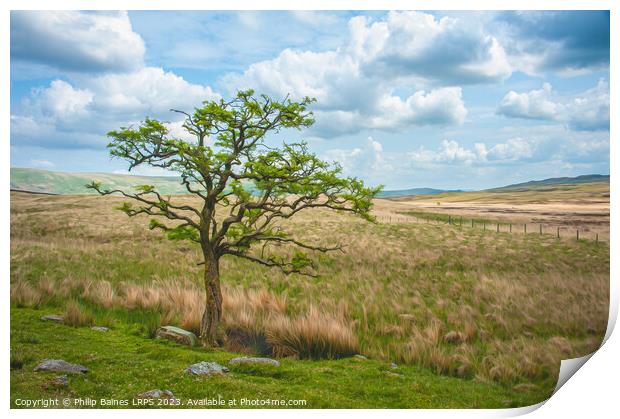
{"type": "Point", "coordinates": [244, 186]}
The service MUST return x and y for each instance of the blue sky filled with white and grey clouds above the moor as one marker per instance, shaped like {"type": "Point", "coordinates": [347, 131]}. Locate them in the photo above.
{"type": "Point", "coordinates": [454, 100]}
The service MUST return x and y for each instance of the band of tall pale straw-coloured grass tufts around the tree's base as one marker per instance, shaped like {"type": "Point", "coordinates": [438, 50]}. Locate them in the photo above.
{"type": "Point", "coordinates": [254, 320]}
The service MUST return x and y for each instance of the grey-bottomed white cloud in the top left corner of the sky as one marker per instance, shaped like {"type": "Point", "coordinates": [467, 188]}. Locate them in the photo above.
{"type": "Point", "coordinates": [76, 41]}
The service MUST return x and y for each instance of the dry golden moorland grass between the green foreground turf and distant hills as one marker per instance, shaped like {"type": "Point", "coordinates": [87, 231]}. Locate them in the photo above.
{"type": "Point", "coordinates": [497, 307]}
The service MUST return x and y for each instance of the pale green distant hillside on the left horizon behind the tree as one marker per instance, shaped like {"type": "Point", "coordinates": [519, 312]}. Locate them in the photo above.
{"type": "Point", "coordinates": [34, 180]}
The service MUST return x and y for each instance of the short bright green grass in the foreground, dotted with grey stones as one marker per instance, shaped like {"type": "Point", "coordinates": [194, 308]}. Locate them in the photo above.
{"type": "Point", "coordinates": [123, 365]}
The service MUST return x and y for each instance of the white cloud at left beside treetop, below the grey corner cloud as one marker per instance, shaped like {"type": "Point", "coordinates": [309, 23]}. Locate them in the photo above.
{"type": "Point", "coordinates": [62, 115]}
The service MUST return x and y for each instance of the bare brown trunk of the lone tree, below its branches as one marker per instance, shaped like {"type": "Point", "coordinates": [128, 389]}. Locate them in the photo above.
{"type": "Point", "coordinates": [213, 308]}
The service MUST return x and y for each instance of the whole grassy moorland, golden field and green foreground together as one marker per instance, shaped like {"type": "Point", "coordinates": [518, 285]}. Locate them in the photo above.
{"type": "Point", "coordinates": [472, 318]}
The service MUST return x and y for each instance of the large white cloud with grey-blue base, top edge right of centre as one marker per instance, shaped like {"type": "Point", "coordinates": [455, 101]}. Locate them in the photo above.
{"type": "Point", "coordinates": [413, 44]}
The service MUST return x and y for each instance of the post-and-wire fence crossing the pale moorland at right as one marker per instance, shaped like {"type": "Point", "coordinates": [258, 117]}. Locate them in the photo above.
{"type": "Point", "coordinates": [541, 229]}
